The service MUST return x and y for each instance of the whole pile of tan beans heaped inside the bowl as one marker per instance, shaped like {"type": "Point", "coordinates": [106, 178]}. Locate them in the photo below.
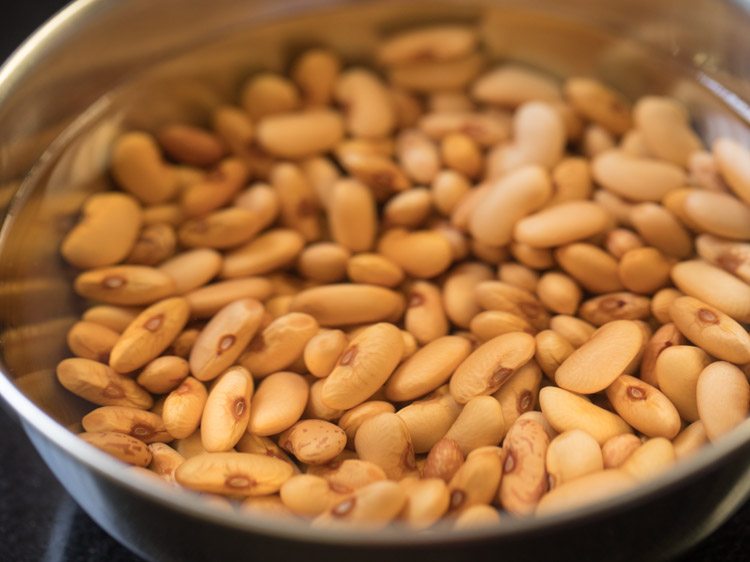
{"type": "Point", "coordinates": [439, 292]}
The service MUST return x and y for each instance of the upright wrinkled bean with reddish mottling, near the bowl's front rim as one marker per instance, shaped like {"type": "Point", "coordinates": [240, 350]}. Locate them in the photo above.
{"type": "Point", "coordinates": [524, 479]}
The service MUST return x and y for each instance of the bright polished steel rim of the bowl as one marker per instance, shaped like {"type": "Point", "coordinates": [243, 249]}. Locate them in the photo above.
{"type": "Point", "coordinates": [190, 504]}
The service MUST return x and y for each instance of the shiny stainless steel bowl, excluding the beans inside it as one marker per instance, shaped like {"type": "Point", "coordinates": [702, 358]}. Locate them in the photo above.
{"type": "Point", "coordinates": [101, 66]}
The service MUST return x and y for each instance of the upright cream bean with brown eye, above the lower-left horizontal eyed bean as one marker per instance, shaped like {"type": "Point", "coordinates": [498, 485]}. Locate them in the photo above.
{"type": "Point", "coordinates": [227, 410]}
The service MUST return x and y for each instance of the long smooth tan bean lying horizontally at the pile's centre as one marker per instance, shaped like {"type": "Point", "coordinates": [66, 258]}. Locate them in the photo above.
{"type": "Point", "coordinates": [348, 304]}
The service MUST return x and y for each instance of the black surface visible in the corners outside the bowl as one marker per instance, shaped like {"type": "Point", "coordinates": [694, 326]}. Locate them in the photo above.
{"type": "Point", "coordinates": [39, 521]}
